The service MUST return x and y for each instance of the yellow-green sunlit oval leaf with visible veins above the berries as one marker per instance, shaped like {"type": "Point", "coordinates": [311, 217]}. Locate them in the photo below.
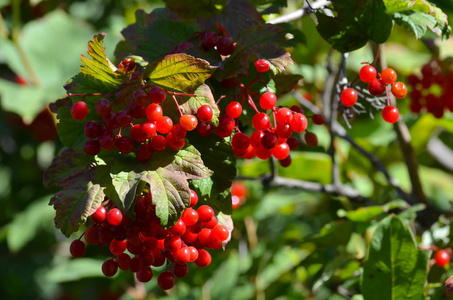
{"type": "Point", "coordinates": [179, 72]}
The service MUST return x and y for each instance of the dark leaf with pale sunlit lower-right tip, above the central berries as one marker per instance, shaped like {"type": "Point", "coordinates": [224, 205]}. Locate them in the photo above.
{"type": "Point", "coordinates": [259, 42]}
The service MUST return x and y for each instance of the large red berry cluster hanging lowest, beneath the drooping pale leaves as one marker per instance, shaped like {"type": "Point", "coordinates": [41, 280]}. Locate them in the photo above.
{"type": "Point", "coordinates": [137, 245]}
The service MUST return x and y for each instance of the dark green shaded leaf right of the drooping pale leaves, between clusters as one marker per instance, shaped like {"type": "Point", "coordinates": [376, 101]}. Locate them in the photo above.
{"type": "Point", "coordinates": [218, 156]}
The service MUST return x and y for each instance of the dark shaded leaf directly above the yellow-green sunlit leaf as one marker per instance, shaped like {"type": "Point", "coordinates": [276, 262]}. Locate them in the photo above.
{"type": "Point", "coordinates": [155, 34]}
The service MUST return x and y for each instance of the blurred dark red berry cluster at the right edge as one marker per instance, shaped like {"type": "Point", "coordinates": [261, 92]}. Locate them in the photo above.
{"type": "Point", "coordinates": [432, 90]}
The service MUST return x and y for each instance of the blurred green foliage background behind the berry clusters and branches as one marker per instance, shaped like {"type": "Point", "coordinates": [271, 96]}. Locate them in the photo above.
{"type": "Point", "coordinates": [287, 244]}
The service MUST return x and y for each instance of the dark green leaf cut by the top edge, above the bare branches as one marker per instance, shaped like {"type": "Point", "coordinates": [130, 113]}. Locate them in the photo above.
{"type": "Point", "coordinates": [355, 24]}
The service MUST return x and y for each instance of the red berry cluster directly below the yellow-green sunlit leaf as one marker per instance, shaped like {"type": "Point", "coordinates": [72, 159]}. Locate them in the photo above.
{"type": "Point", "coordinates": [141, 126]}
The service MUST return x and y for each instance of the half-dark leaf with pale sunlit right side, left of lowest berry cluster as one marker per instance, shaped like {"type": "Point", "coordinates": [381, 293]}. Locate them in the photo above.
{"type": "Point", "coordinates": [77, 201]}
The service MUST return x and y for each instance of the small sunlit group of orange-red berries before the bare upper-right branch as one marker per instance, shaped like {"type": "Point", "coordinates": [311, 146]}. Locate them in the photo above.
{"type": "Point", "coordinates": [377, 85]}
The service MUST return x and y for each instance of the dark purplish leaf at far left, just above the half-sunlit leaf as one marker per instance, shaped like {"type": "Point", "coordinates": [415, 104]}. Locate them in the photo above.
{"type": "Point", "coordinates": [70, 163]}
